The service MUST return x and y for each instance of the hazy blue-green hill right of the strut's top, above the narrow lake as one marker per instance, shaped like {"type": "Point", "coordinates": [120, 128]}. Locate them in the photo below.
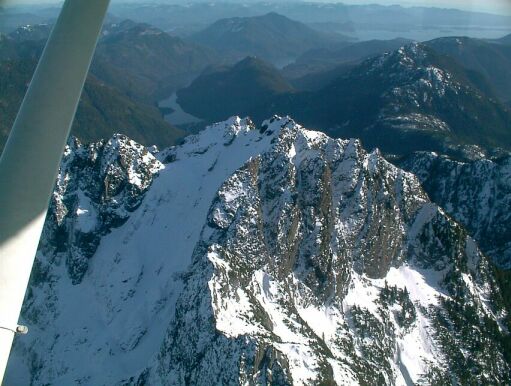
{"type": "Point", "coordinates": [146, 63]}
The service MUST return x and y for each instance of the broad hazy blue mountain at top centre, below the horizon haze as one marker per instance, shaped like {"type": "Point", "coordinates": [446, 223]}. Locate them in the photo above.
{"type": "Point", "coordinates": [272, 37]}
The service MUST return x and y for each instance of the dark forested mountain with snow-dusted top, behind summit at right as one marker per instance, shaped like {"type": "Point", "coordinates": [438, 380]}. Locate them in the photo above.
{"type": "Point", "coordinates": [410, 99]}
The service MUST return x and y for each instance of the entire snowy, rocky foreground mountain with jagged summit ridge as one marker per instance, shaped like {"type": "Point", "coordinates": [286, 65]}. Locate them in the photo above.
{"type": "Point", "coordinates": [272, 255]}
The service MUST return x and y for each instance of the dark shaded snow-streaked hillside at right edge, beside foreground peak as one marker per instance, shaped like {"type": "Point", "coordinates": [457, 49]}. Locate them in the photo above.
{"type": "Point", "coordinates": [475, 193]}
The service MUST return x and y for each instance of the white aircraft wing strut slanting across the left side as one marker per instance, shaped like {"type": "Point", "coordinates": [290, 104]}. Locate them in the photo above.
{"type": "Point", "coordinates": [30, 160]}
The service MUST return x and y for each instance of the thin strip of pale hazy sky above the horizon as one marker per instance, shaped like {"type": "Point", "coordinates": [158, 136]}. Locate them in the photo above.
{"type": "Point", "coordinates": [493, 6]}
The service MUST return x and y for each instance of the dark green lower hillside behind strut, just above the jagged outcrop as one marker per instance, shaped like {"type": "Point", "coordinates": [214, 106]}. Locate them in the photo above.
{"type": "Point", "coordinates": [102, 110]}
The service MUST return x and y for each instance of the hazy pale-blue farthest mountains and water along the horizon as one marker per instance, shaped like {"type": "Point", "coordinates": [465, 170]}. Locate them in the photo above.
{"type": "Point", "coordinates": [363, 22]}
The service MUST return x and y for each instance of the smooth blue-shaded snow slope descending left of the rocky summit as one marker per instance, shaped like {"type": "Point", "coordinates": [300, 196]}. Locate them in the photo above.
{"type": "Point", "coordinates": [122, 298]}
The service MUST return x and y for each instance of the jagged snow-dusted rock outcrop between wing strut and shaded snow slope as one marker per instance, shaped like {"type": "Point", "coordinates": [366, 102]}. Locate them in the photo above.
{"type": "Point", "coordinates": [97, 187]}
